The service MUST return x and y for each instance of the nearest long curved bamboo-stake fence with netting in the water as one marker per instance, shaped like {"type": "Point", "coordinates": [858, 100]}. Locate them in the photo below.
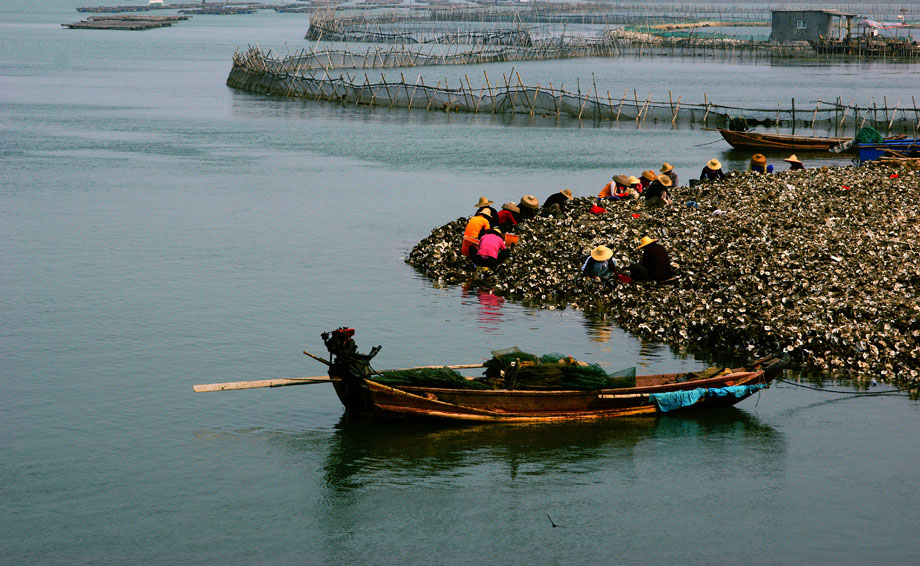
{"type": "Point", "coordinates": [299, 77]}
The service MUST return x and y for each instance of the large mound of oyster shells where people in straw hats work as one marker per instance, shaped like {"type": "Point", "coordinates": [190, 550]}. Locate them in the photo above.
{"type": "Point", "coordinates": [823, 264]}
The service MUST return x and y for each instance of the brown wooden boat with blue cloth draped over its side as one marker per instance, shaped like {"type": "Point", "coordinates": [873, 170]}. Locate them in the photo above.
{"type": "Point", "coordinates": [364, 397]}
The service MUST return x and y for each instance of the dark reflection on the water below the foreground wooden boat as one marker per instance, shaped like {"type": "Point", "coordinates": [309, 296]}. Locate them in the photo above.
{"type": "Point", "coordinates": [366, 453]}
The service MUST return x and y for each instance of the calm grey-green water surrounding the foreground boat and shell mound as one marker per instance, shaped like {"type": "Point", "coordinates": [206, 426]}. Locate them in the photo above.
{"type": "Point", "coordinates": [161, 230]}
